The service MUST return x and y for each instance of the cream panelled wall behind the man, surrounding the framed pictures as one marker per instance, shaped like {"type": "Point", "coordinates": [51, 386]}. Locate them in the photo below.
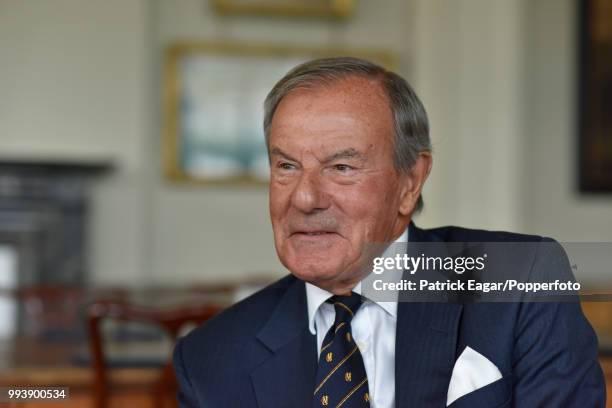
{"type": "Point", "coordinates": [82, 79]}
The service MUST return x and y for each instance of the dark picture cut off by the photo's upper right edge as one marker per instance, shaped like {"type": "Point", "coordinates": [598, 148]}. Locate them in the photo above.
{"type": "Point", "coordinates": [595, 120]}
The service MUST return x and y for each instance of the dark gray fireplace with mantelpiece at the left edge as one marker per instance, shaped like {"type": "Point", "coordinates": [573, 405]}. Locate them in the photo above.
{"type": "Point", "coordinates": [43, 231]}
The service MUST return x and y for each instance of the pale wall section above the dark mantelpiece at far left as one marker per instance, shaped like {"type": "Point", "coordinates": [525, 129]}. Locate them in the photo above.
{"type": "Point", "coordinates": [72, 79]}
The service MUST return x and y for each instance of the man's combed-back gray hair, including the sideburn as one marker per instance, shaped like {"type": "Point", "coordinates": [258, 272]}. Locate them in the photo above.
{"type": "Point", "coordinates": [411, 124]}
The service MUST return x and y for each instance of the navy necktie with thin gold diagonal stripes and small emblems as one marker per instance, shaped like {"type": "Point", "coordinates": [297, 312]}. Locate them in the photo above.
{"type": "Point", "coordinates": [341, 376]}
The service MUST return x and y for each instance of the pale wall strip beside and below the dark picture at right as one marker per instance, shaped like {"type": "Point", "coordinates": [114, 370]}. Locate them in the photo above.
{"type": "Point", "coordinates": [552, 204]}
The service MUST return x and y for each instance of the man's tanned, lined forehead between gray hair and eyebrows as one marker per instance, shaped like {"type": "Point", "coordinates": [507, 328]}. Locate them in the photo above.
{"type": "Point", "coordinates": [353, 107]}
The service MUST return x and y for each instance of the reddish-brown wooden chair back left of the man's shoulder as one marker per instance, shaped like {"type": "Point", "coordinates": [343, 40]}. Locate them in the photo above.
{"type": "Point", "coordinates": [170, 320]}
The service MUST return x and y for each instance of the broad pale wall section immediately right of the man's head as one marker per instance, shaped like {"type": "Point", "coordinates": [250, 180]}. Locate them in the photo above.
{"type": "Point", "coordinates": [467, 68]}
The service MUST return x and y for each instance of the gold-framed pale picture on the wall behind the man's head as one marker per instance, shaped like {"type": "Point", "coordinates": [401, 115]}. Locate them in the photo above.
{"type": "Point", "coordinates": [214, 95]}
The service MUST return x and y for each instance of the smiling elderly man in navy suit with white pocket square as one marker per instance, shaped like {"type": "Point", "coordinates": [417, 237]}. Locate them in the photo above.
{"type": "Point", "coordinates": [349, 154]}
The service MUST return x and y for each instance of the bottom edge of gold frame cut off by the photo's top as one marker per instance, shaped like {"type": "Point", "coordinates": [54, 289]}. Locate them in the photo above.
{"type": "Point", "coordinates": [313, 8]}
